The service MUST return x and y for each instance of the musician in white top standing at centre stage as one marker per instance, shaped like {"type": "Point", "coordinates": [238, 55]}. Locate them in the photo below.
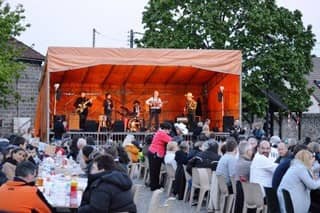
{"type": "Point", "coordinates": [155, 105]}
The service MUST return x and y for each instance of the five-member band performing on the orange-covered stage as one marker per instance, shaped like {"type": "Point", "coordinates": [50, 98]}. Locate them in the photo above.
{"type": "Point", "coordinates": [133, 120]}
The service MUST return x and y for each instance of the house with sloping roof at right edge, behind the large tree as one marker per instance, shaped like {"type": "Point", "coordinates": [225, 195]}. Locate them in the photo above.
{"type": "Point", "coordinates": [314, 82]}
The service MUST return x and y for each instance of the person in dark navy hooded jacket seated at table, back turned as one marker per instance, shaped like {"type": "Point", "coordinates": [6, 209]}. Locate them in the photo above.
{"type": "Point", "coordinates": [108, 190]}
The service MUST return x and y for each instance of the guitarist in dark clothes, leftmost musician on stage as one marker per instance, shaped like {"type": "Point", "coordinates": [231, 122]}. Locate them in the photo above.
{"type": "Point", "coordinates": [82, 103]}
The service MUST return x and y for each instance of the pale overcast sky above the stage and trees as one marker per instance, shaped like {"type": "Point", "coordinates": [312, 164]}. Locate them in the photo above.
{"type": "Point", "coordinates": [70, 22]}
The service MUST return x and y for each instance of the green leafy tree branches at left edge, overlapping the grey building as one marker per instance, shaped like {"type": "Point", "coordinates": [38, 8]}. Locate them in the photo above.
{"type": "Point", "coordinates": [11, 25]}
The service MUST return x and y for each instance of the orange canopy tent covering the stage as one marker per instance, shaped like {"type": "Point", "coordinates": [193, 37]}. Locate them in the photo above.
{"type": "Point", "coordinates": [133, 74]}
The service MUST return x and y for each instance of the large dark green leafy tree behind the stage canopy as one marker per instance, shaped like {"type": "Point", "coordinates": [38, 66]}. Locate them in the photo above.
{"type": "Point", "coordinates": [276, 47]}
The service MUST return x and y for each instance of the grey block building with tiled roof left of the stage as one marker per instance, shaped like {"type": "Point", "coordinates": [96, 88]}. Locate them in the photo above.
{"type": "Point", "coordinates": [18, 117]}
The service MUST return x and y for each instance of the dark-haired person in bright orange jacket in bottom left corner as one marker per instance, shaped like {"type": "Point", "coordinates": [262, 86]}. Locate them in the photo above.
{"type": "Point", "coordinates": [21, 194]}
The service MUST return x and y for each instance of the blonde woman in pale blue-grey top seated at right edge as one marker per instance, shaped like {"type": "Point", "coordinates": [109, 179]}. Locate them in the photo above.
{"type": "Point", "coordinates": [298, 181]}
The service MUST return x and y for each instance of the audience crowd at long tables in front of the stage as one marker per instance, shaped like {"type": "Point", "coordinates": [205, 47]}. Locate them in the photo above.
{"type": "Point", "coordinates": [276, 165]}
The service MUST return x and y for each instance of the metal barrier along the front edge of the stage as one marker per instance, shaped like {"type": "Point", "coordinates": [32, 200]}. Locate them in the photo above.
{"type": "Point", "coordinates": [102, 138]}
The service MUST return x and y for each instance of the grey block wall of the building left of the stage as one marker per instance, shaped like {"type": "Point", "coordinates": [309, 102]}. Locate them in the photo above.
{"type": "Point", "coordinates": [27, 86]}
